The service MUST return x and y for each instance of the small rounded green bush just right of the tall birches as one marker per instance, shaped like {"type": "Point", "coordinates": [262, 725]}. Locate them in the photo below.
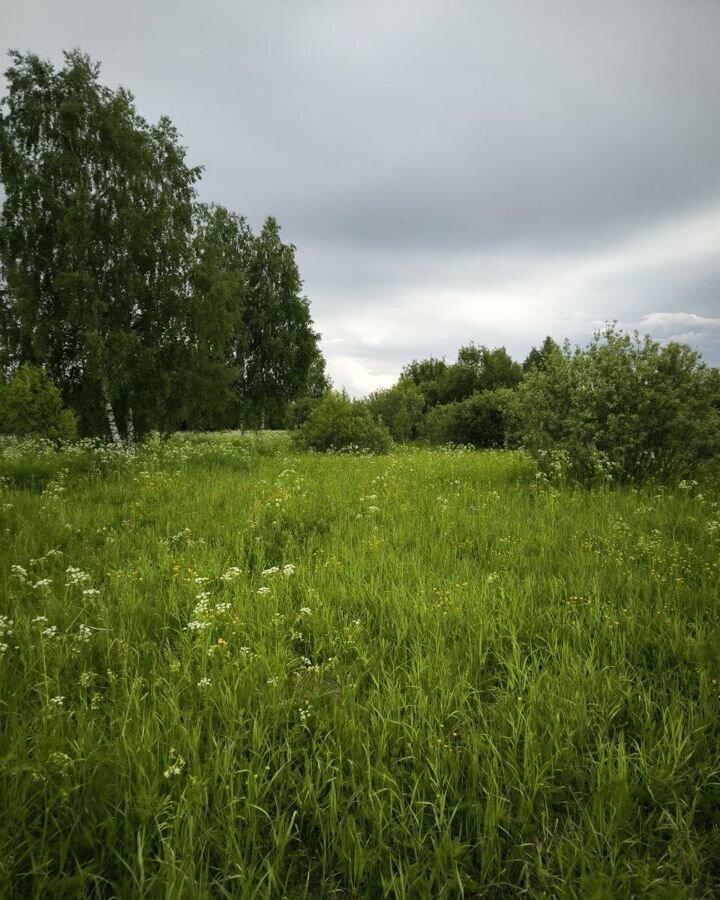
{"type": "Point", "coordinates": [339, 423]}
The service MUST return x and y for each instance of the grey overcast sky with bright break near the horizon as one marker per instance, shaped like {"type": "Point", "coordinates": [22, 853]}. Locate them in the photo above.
{"type": "Point", "coordinates": [488, 170]}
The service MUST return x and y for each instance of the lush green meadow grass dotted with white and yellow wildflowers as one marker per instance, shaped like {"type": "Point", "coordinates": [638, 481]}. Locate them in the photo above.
{"type": "Point", "coordinates": [232, 671]}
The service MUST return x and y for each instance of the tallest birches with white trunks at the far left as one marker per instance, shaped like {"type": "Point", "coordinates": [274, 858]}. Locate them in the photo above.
{"type": "Point", "coordinates": [94, 240]}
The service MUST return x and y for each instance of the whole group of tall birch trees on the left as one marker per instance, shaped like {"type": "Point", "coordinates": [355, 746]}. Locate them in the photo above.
{"type": "Point", "coordinates": [145, 307]}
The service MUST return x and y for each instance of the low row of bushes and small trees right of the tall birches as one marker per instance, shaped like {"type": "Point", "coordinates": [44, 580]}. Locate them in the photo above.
{"type": "Point", "coordinates": [624, 408]}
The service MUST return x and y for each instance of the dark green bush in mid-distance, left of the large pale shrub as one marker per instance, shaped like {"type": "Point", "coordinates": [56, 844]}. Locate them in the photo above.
{"type": "Point", "coordinates": [480, 420]}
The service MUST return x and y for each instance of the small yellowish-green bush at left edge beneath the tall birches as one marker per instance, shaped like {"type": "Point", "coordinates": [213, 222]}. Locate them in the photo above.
{"type": "Point", "coordinates": [31, 406]}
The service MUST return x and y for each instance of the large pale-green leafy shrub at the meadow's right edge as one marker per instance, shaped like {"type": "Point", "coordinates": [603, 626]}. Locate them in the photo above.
{"type": "Point", "coordinates": [623, 409]}
